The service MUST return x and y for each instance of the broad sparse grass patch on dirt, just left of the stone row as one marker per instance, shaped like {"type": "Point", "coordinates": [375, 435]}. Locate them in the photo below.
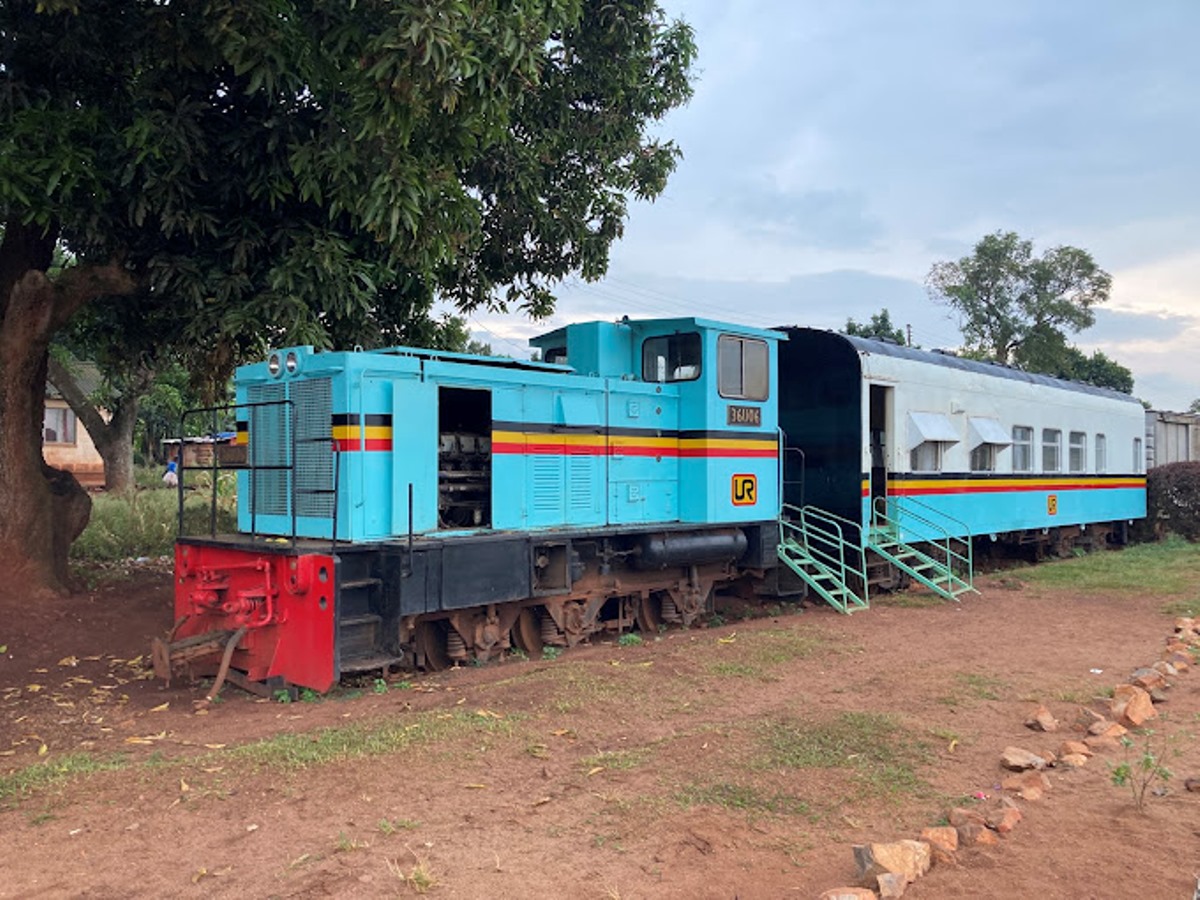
{"type": "Point", "coordinates": [883, 755]}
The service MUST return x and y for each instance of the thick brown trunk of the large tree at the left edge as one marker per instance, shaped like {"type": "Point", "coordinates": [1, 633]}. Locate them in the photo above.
{"type": "Point", "coordinates": [44, 509]}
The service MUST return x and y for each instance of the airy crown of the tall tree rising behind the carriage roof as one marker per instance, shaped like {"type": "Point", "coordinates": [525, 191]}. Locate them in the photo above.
{"type": "Point", "coordinates": [1009, 299]}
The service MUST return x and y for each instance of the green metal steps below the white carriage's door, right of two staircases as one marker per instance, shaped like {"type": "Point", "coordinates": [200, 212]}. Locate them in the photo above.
{"type": "Point", "coordinates": [941, 560]}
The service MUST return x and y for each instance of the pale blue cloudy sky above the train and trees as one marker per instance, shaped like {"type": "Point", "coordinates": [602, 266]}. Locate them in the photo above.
{"type": "Point", "coordinates": [833, 153]}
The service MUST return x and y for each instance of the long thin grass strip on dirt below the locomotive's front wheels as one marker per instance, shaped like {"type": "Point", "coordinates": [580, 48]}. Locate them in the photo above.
{"type": "Point", "coordinates": [353, 742]}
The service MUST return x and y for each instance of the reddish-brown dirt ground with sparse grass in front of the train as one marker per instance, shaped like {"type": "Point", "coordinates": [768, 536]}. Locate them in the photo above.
{"type": "Point", "coordinates": [679, 769]}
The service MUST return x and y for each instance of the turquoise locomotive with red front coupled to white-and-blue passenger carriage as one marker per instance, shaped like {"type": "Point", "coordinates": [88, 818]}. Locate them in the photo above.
{"type": "Point", "coordinates": [407, 507]}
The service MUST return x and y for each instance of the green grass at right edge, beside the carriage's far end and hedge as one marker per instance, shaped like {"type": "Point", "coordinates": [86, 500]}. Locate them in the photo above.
{"type": "Point", "coordinates": [1167, 568]}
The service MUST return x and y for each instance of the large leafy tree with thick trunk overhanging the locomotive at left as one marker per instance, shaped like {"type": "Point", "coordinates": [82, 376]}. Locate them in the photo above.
{"type": "Point", "coordinates": [275, 172]}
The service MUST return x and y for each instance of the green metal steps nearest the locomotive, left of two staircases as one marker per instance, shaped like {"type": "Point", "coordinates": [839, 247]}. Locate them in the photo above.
{"type": "Point", "coordinates": [826, 554]}
